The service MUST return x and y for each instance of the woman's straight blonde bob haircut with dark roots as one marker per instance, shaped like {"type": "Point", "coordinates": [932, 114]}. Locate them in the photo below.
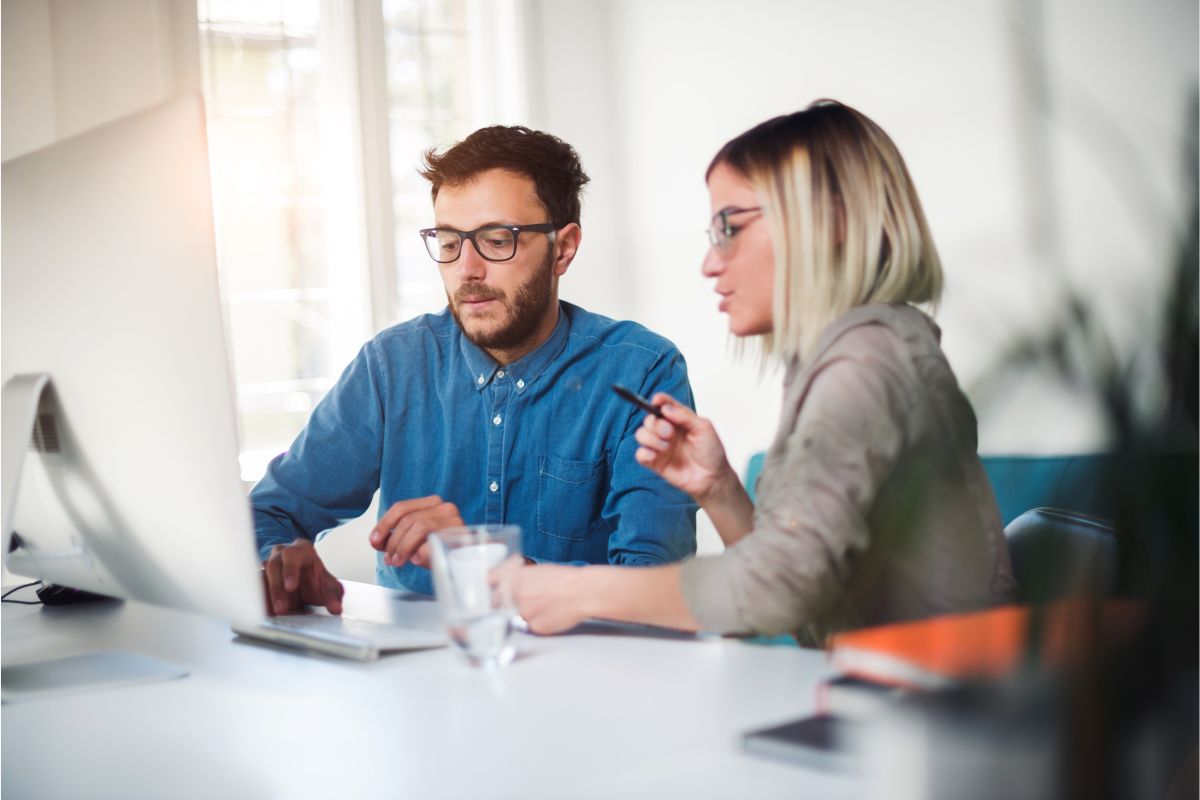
{"type": "Point", "coordinates": [845, 220]}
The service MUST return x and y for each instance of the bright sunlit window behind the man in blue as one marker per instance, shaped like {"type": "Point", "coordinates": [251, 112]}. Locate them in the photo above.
{"type": "Point", "coordinates": [319, 115]}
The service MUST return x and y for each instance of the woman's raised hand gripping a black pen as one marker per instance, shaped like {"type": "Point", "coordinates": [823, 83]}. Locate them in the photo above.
{"type": "Point", "coordinates": [683, 449]}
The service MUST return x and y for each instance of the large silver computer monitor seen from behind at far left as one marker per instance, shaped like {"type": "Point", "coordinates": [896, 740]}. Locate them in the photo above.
{"type": "Point", "coordinates": [130, 485]}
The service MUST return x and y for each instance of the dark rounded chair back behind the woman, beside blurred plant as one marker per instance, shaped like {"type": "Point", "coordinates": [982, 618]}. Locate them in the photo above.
{"type": "Point", "coordinates": [1059, 554]}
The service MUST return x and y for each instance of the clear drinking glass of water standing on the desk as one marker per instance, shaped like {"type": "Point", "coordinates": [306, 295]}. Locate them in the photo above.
{"type": "Point", "coordinates": [473, 572]}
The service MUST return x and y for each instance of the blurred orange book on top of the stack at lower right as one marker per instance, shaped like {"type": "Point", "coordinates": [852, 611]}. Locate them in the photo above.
{"type": "Point", "coordinates": [987, 645]}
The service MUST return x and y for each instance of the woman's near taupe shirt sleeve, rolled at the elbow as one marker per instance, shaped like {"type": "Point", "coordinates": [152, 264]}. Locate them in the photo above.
{"type": "Point", "coordinates": [842, 435]}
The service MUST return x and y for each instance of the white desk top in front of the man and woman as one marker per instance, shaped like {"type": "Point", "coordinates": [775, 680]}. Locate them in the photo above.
{"type": "Point", "coordinates": [577, 717]}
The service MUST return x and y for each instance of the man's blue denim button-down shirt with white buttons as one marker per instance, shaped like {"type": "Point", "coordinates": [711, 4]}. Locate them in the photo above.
{"type": "Point", "coordinates": [543, 443]}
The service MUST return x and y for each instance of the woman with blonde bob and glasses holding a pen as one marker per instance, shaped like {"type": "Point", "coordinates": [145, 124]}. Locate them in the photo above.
{"type": "Point", "coordinates": [873, 504]}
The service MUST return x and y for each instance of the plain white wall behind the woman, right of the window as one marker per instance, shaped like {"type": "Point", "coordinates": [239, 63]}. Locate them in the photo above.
{"type": "Point", "coordinates": [650, 89]}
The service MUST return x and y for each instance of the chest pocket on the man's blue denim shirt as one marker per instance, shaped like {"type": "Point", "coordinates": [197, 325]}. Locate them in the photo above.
{"type": "Point", "coordinates": [571, 496]}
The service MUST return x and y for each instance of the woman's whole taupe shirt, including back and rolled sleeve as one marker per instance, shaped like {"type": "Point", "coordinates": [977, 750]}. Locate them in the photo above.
{"type": "Point", "coordinates": [873, 503]}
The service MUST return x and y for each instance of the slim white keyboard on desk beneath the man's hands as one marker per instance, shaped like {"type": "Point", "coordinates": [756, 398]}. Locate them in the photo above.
{"type": "Point", "coordinates": [375, 621]}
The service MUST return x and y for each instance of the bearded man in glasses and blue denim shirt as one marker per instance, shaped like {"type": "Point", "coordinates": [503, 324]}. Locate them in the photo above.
{"type": "Point", "coordinates": [497, 410]}
